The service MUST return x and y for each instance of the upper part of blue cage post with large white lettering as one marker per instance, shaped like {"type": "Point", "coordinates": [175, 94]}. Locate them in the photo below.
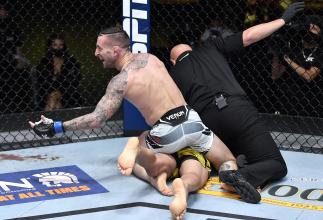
{"type": "Point", "coordinates": [136, 23]}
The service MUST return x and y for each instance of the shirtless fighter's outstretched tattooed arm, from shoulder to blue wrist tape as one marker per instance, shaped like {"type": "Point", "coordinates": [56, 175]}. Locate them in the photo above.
{"type": "Point", "coordinates": [106, 107]}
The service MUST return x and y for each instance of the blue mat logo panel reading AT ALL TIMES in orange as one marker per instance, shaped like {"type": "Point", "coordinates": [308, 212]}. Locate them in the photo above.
{"type": "Point", "coordinates": [46, 184]}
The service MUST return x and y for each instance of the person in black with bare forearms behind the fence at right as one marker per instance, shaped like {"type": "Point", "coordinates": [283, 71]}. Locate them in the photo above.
{"type": "Point", "coordinates": [304, 55]}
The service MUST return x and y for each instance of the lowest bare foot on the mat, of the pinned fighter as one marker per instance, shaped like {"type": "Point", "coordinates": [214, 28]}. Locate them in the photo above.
{"type": "Point", "coordinates": [179, 204]}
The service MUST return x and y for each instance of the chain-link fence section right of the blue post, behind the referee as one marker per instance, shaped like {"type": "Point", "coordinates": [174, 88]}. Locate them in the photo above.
{"type": "Point", "coordinates": [289, 98]}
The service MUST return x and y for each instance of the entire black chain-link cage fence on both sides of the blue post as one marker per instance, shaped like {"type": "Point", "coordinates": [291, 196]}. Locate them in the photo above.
{"type": "Point", "coordinates": [48, 64]}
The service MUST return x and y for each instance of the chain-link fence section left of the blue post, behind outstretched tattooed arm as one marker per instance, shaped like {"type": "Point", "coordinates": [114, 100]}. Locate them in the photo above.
{"type": "Point", "coordinates": [48, 67]}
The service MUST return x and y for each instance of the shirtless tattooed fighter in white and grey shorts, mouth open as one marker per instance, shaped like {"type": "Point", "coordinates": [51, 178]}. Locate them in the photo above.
{"type": "Point", "coordinates": [144, 81]}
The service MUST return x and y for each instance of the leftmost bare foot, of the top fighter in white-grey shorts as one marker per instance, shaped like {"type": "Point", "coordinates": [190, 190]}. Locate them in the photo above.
{"type": "Point", "coordinates": [127, 159]}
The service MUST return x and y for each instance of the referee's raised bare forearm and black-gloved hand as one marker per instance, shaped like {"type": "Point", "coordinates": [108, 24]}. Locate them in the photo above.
{"type": "Point", "coordinates": [261, 31]}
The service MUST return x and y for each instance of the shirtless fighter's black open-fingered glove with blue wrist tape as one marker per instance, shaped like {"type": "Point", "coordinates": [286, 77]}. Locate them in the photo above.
{"type": "Point", "coordinates": [48, 128]}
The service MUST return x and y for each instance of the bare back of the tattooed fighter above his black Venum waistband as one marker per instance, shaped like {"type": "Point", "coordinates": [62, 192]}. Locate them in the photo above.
{"type": "Point", "coordinates": [150, 88]}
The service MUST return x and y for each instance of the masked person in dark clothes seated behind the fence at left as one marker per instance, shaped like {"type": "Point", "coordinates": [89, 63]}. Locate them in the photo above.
{"type": "Point", "coordinates": [58, 76]}
